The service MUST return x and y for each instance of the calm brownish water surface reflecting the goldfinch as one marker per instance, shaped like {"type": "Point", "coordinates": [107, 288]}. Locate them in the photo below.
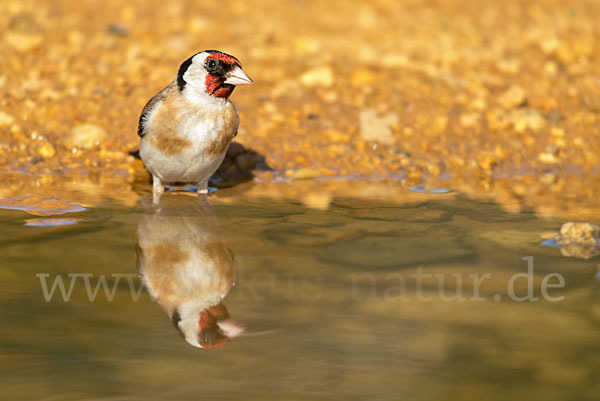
{"type": "Point", "coordinates": [358, 301]}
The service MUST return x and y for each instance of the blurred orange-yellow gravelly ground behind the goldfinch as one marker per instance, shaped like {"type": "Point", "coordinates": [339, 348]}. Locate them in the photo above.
{"type": "Point", "coordinates": [495, 99]}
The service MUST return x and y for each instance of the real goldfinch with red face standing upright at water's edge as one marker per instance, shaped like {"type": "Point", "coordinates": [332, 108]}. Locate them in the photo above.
{"type": "Point", "coordinates": [186, 128]}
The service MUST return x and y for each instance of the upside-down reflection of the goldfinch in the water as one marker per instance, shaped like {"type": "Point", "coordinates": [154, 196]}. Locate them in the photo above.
{"type": "Point", "coordinates": [186, 266]}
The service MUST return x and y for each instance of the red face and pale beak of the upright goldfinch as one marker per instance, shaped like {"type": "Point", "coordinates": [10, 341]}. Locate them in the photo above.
{"type": "Point", "coordinates": [224, 72]}
